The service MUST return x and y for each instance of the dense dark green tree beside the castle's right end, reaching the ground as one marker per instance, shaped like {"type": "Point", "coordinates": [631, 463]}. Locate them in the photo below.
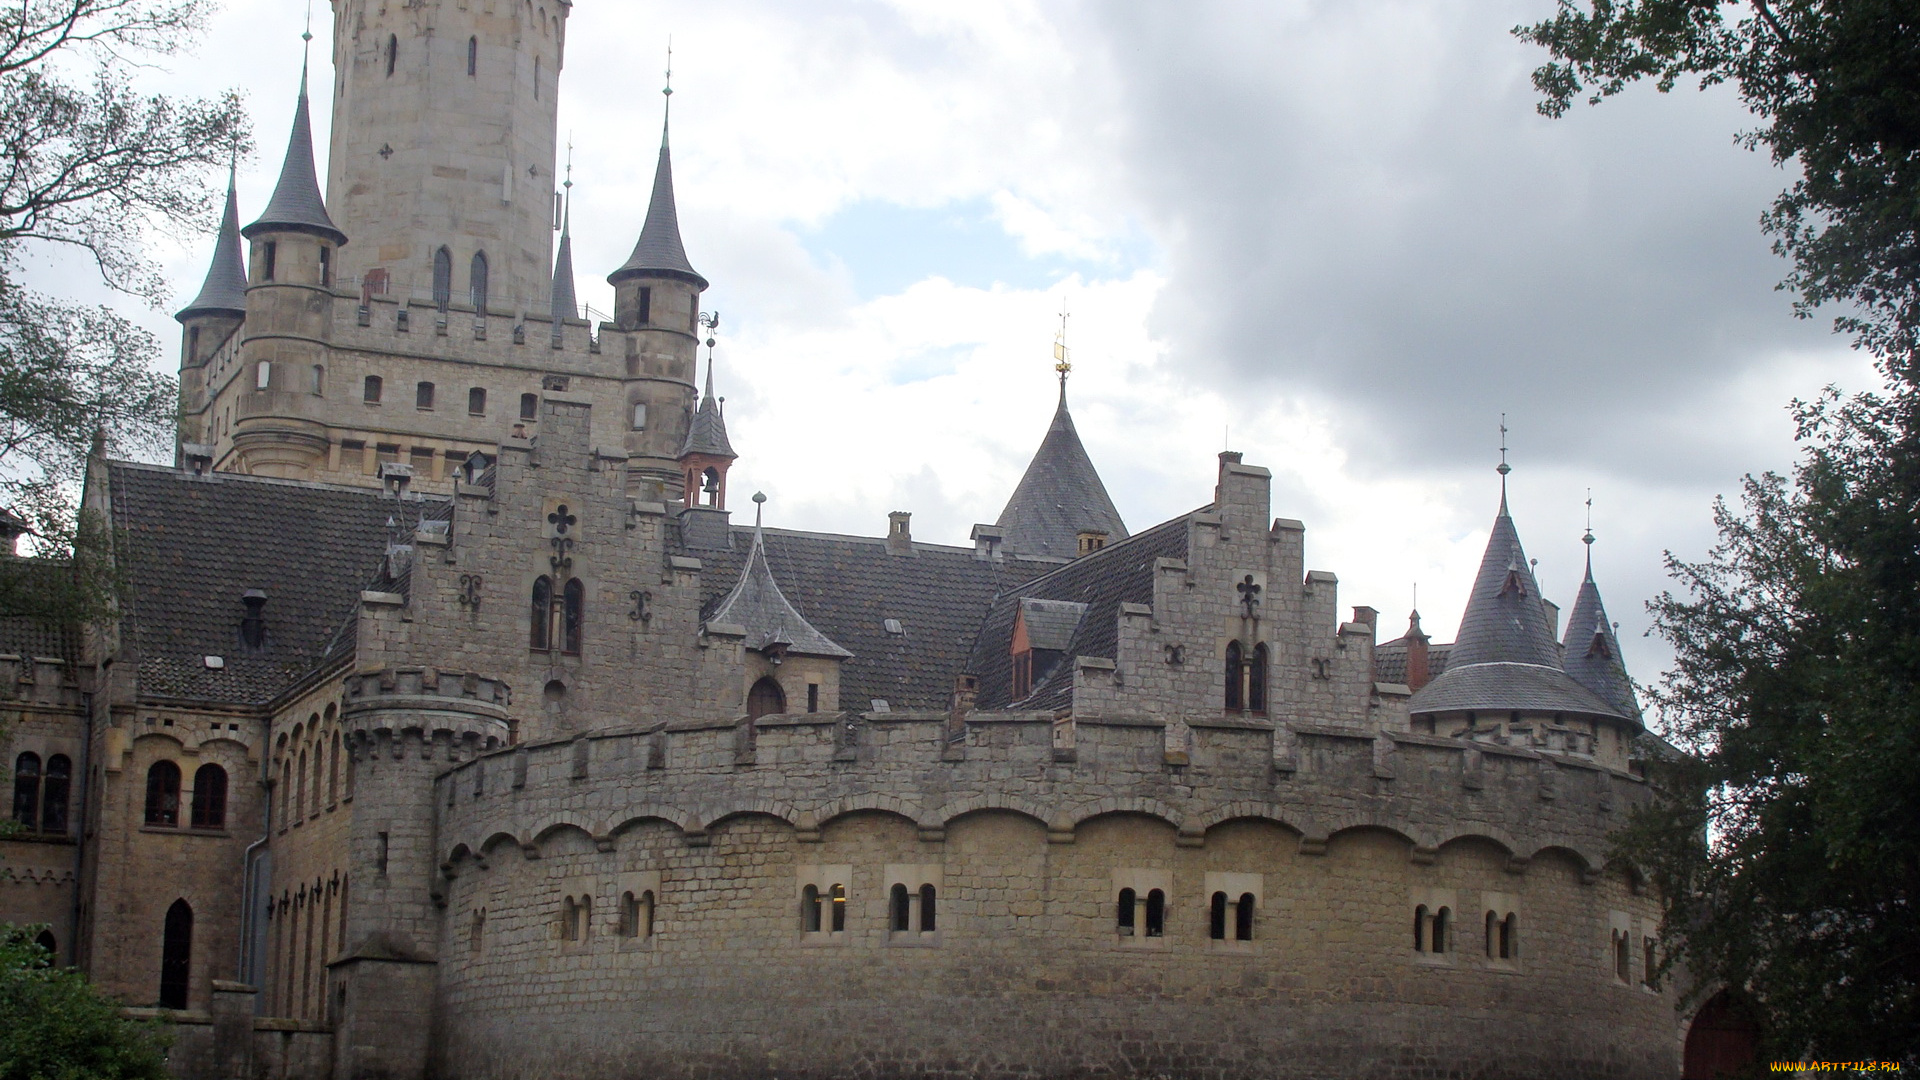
{"type": "Point", "coordinates": [1788, 852]}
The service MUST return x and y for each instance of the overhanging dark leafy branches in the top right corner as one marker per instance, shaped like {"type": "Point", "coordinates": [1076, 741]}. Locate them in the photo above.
{"type": "Point", "coordinates": [1836, 86]}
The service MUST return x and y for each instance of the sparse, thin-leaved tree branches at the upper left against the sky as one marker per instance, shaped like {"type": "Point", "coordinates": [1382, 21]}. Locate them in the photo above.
{"type": "Point", "coordinates": [89, 164]}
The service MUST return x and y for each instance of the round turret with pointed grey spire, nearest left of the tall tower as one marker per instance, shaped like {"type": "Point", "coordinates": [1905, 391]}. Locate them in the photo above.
{"type": "Point", "coordinates": [289, 316]}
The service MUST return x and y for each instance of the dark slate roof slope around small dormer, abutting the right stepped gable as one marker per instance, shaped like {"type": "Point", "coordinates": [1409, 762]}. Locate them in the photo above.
{"type": "Point", "coordinates": [1103, 581]}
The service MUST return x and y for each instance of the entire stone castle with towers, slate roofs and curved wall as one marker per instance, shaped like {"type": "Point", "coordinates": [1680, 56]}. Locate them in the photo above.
{"type": "Point", "coordinates": [458, 725]}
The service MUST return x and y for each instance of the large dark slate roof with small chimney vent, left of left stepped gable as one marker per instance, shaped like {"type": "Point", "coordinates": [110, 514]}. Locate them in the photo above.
{"type": "Point", "coordinates": [195, 545]}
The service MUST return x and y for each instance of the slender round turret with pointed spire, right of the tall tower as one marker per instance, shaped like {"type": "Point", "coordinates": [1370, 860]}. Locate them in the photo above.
{"type": "Point", "coordinates": [658, 307]}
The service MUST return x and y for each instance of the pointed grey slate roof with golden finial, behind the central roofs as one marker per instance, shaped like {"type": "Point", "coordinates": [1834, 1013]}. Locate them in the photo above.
{"type": "Point", "coordinates": [1061, 497]}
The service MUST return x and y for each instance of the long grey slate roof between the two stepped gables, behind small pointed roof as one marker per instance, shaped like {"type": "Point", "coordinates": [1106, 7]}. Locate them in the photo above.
{"type": "Point", "coordinates": [848, 587]}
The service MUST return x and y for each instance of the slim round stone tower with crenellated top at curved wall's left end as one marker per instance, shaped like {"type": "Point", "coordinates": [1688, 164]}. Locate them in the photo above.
{"type": "Point", "coordinates": [404, 727]}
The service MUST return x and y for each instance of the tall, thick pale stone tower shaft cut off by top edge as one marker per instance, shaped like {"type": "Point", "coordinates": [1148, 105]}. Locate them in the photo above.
{"type": "Point", "coordinates": [444, 147]}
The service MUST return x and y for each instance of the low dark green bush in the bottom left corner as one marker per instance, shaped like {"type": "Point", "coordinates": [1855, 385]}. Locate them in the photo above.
{"type": "Point", "coordinates": [55, 1027]}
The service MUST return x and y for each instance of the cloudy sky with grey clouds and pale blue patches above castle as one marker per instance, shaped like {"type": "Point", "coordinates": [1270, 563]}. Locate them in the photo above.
{"type": "Point", "coordinates": [1332, 235]}
